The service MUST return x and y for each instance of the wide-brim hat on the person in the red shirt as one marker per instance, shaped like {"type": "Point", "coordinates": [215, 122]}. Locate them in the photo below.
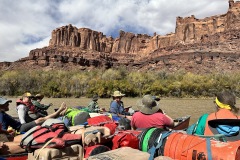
{"type": "Point", "coordinates": [148, 105]}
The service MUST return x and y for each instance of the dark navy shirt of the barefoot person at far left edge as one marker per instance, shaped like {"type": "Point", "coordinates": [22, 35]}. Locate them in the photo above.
{"type": "Point", "coordinates": [6, 121]}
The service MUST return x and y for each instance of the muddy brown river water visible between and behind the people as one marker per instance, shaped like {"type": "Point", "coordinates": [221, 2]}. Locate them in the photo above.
{"type": "Point", "coordinates": [173, 107]}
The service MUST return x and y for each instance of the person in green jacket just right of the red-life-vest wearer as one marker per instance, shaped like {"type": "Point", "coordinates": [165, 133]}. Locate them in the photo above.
{"type": "Point", "coordinates": [41, 108]}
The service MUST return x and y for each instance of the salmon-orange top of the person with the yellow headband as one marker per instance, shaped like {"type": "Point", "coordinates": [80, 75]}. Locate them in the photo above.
{"type": "Point", "coordinates": [221, 114]}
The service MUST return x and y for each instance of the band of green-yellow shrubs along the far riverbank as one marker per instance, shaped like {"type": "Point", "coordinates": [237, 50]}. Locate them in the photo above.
{"type": "Point", "coordinates": [59, 83]}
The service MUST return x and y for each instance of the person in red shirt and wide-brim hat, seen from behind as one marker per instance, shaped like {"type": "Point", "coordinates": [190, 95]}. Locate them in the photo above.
{"type": "Point", "coordinates": [150, 115]}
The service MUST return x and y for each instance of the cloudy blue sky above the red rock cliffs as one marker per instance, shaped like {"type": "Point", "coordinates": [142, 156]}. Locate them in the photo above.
{"type": "Point", "coordinates": [27, 24]}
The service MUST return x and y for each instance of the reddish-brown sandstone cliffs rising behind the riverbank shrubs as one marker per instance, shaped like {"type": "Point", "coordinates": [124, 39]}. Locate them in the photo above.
{"type": "Point", "coordinates": [198, 45]}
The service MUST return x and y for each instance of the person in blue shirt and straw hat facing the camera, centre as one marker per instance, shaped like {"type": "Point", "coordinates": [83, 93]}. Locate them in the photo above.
{"type": "Point", "coordinates": [117, 106]}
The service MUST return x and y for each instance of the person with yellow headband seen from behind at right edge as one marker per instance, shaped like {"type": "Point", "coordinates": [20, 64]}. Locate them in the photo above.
{"type": "Point", "coordinates": [225, 109]}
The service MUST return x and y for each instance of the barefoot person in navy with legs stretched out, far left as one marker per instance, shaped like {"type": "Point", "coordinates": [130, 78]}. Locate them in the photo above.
{"type": "Point", "coordinates": [8, 121]}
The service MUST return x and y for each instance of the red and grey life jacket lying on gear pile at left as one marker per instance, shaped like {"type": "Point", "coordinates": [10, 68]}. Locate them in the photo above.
{"type": "Point", "coordinates": [52, 134]}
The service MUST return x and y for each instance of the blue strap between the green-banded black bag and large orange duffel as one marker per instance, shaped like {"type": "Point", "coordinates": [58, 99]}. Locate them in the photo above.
{"type": "Point", "coordinates": [159, 143]}
